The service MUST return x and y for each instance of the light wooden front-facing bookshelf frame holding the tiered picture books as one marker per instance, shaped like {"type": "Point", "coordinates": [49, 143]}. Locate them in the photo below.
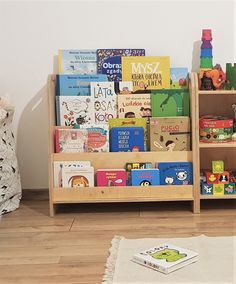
{"type": "Point", "coordinates": [118, 160]}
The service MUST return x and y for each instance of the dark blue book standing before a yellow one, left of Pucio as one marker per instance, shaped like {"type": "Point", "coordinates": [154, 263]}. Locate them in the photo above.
{"type": "Point", "coordinates": [127, 139]}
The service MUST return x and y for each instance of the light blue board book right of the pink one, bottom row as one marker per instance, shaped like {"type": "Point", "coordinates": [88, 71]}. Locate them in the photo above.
{"type": "Point", "coordinates": [145, 177]}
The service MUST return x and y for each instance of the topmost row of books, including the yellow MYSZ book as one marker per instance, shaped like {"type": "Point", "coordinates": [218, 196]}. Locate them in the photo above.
{"type": "Point", "coordinates": [145, 72]}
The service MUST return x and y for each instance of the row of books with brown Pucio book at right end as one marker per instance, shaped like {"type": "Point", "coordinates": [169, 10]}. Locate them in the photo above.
{"type": "Point", "coordinates": [126, 135]}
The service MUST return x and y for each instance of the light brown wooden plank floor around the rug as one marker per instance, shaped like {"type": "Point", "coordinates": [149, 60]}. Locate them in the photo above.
{"type": "Point", "coordinates": [73, 246]}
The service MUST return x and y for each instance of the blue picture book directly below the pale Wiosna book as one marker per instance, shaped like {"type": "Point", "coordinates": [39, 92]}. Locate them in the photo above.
{"type": "Point", "coordinates": [76, 85]}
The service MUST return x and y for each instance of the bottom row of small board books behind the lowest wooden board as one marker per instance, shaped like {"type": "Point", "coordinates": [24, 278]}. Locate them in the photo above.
{"type": "Point", "coordinates": [81, 174]}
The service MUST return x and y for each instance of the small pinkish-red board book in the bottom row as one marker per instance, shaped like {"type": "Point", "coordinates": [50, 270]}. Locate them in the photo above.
{"type": "Point", "coordinates": [111, 177]}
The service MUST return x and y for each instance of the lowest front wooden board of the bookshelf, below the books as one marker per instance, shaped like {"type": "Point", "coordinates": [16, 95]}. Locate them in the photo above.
{"type": "Point", "coordinates": [123, 194]}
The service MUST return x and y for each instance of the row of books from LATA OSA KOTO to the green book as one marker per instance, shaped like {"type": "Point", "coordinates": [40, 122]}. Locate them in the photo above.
{"type": "Point", "coordinates": [103, 103]}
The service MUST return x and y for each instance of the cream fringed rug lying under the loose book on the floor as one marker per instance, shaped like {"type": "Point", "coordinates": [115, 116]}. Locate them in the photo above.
{"type": "Point", "coordinates": [216, 264]}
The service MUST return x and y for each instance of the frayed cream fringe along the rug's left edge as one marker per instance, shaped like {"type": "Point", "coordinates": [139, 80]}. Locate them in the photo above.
{"type": "Point", "coordinates": [111, 261]}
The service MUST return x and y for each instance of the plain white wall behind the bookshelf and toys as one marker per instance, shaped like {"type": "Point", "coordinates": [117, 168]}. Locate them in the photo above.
{"type": "Point", "coordinates": [31, 32]}
